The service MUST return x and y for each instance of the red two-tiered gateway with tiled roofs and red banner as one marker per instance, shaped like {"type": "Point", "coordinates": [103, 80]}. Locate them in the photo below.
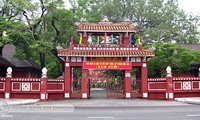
{"type": "Point", "coordinates": [122, 56]}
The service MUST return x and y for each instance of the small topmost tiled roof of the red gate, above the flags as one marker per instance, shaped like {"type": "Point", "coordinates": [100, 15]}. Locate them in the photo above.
{"type": "Point", "coordinates": [105, 27]}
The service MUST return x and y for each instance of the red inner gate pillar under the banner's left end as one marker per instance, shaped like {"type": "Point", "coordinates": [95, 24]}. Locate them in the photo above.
{"type": "Point", "coordinates": [84, 85]}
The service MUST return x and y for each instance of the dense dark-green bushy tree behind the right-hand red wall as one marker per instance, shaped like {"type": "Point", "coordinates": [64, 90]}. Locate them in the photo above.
{"type": "Point", "coordinates": [178, 58]}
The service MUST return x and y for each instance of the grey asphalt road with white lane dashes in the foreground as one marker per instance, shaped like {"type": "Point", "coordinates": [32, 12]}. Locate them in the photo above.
{"type": "Point", "coordinates": [185, 112]}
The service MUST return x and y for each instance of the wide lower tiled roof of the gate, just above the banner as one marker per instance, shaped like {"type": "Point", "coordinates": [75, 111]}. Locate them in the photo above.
{"type": "Point", "coordinates": [106, 53]}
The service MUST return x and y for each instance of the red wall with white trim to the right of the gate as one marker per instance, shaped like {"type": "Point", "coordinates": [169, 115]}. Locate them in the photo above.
{"type": "Point", "coordinates": [173, 87]}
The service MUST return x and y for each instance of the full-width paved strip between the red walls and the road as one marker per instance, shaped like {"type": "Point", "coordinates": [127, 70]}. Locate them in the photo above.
{"type": "Point", "coordinates": [106, 102]}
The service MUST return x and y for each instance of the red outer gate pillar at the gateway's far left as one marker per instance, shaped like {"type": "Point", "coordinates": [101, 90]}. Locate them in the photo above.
{"type": "Point", "coordinates": [67, 80]}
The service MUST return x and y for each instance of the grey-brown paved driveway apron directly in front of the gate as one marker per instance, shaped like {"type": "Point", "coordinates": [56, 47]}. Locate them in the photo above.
{"type": "Point", "coordinates": [113, 102]}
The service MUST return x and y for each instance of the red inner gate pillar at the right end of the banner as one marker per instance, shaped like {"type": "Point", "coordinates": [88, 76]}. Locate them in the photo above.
{"type": "Point", "coordinates": [127, 84]}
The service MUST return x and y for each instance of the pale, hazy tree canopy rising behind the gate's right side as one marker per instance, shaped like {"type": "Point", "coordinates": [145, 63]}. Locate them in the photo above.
{"type": "Point", "coordinates": [156, 20]}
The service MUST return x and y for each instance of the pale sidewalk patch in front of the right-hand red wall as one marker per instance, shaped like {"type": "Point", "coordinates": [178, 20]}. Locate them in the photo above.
{"type": "Point", "coordinates": [191, 100]}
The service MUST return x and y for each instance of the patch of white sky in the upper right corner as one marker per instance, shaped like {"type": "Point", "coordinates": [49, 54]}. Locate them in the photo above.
{"type": "Point", "coordinates": [190, 6]}
